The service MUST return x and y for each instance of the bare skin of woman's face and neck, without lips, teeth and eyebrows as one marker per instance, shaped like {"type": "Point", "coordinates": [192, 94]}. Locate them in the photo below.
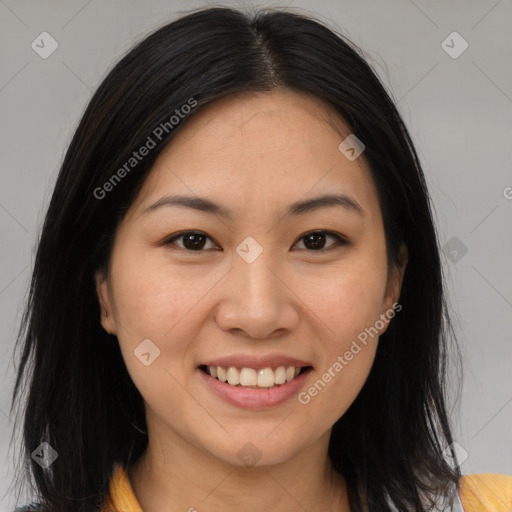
{"type": "Point", "coordinates": [256, 154]}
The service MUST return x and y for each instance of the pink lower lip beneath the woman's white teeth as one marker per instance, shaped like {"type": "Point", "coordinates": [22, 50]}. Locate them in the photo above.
{"type": "Point", "coordinates": [250, 398]}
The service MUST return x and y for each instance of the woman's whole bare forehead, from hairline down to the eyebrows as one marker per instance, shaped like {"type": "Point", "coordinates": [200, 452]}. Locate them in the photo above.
{"type": "Point", "coordinates": [260, 151]}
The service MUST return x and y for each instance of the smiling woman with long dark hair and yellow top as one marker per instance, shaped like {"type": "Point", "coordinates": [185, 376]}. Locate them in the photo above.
{"type": "Point", "coordinates": [237, 301]}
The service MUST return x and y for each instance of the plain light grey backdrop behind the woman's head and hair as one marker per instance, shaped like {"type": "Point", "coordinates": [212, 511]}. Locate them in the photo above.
{"type": "Point", "coordinates": [458, 110]}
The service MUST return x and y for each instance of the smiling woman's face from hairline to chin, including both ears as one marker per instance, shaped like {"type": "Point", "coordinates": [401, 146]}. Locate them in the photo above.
{"type": "Point", "coordinates": [255, 284]}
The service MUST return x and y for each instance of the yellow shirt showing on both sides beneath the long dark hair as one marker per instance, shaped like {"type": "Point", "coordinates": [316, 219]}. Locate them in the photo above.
{"type": "Point", "coordinates": [486, 492]}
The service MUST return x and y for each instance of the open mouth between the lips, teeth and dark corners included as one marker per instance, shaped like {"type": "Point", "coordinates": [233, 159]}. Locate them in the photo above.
{"type": "Point", "coordinates": [255, 378]}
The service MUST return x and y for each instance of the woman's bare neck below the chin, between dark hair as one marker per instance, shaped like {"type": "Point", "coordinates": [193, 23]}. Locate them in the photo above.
{"type": "Point", "coordinates": [199, 481]}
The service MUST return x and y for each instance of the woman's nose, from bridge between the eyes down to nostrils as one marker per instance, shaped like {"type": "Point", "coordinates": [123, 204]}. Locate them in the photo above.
{"type": "Point", "coordinates": [257, 299]}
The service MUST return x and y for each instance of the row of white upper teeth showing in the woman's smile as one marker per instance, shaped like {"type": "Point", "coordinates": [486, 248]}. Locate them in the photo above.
{"type": "Point", "coordinates": [264, 378]}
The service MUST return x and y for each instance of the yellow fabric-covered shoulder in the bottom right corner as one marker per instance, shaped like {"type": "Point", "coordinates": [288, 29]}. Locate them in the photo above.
{"type": "Point", "coordinates": [486, 492]}
